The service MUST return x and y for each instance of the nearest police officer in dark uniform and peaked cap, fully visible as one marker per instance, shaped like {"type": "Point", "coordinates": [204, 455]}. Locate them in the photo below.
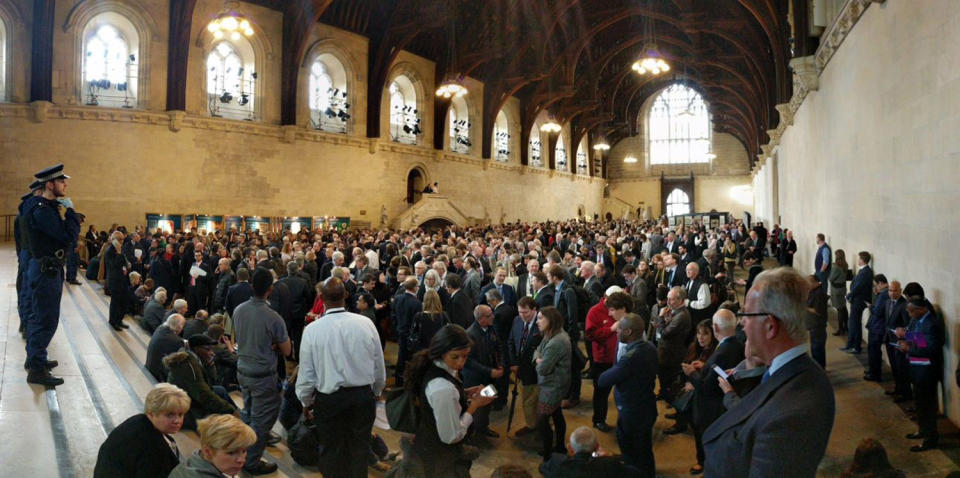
{"type": "Point", "coordinates": [50, 236]}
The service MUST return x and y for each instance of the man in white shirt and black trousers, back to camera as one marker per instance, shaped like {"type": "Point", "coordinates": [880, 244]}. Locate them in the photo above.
{"type": "Point", "coordinates": [341, 373]}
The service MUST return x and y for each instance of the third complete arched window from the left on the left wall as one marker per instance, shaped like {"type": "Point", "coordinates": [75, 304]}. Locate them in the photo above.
{"type": "Point", "coordinates": [329, 106]}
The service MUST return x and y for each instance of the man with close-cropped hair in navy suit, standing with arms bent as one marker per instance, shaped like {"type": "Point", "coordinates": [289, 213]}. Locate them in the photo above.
{"type": "Point", "coordinates": [633, 378]}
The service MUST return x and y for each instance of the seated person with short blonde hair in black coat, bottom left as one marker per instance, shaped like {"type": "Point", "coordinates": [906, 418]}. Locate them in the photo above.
{"type": "Point", "coordinates": [141, 446]}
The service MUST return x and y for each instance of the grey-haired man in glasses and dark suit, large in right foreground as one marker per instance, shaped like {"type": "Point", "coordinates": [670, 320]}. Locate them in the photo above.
{"type": "Point", "coordinates": [794, 402]}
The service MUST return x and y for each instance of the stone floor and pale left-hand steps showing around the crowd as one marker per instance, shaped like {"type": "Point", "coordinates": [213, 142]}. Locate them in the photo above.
{"type": "Point", "coordinates": [56, 433]}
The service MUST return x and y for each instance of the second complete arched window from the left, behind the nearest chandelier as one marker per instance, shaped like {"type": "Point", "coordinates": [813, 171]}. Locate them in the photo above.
{"type": "Point", "coordinates": [231, 80]}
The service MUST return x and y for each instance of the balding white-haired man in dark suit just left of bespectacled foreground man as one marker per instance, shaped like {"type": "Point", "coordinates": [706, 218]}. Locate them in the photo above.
{"type": "Point", "coordinates": [708, 396]}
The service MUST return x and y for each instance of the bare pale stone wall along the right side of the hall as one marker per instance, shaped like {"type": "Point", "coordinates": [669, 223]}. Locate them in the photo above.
{"type": "Point", "coordinates": [873, 156]}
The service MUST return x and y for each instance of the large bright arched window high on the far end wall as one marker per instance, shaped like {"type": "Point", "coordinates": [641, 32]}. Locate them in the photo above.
{"type": "Point", "coordinates": [679, 127]}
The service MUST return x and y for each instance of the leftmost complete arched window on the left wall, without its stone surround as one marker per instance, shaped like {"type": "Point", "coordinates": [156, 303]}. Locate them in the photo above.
{"type": "Point", "coordinates": [109, 67]}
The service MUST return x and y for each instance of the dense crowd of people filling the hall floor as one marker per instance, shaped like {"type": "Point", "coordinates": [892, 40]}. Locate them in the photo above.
{"type": "Point", "coordinates": [656, 309]}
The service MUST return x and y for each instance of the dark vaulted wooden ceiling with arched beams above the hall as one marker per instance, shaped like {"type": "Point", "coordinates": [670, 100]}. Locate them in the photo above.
{"type": "Point", "coordinates": [573, 57]}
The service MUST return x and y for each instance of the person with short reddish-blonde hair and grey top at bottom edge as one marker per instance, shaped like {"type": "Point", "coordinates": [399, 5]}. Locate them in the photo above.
{"type": "Point", "coordinates": [224, 440]}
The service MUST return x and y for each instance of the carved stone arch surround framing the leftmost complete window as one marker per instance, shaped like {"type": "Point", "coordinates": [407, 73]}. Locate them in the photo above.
{"type": "Point", "coordinates": [147, 33]}
